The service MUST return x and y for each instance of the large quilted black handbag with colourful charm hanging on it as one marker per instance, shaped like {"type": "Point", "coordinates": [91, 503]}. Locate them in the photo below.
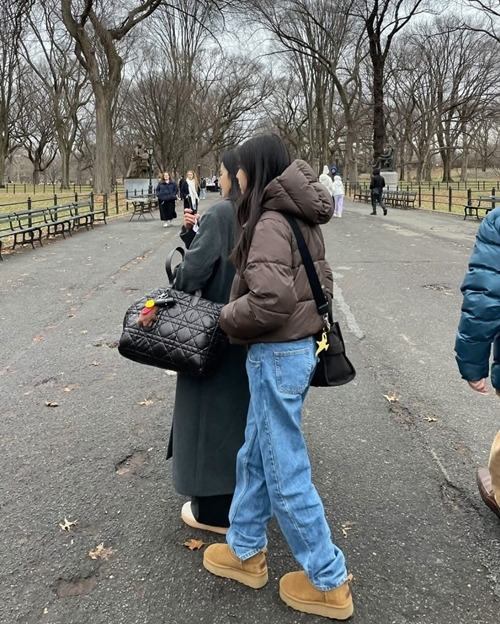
{"type": "Point", "coordinates": [185, 337]}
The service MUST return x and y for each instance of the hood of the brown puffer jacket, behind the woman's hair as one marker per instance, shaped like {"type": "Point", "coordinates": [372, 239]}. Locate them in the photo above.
{"type": "Point", "coordinates": [297, 192]}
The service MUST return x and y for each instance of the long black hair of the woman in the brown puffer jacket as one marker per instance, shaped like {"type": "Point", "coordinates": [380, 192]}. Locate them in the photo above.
{"type": "Point", "coordinates": [262, 159]}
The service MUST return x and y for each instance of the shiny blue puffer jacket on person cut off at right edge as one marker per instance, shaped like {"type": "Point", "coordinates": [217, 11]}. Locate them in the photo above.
{"type": "Point", "coordinates": [479, 326]}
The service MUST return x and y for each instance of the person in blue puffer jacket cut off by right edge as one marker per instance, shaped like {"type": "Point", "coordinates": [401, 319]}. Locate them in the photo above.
{"type": "Point", "coordinates": [478, 332]}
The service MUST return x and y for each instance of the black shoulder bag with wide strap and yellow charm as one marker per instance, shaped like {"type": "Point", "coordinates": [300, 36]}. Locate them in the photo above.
{"type": "Point", "coordinates": [334, 367]}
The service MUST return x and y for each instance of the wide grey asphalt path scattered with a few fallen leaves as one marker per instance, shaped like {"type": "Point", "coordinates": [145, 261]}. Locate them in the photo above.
{"type": "Point", "coordinates": [84, 434]}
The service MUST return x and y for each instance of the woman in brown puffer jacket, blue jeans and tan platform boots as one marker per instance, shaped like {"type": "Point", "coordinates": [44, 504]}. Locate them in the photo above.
{"type": "Point", "coordinates": [272, 309]}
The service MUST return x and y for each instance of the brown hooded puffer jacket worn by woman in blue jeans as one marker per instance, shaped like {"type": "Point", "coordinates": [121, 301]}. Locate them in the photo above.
{"type": "Point", "coordinates": [272, 300]}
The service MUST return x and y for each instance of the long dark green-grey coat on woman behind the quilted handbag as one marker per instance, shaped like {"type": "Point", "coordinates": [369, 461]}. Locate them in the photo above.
{"type": "Point", "coordinates": [210, 414]}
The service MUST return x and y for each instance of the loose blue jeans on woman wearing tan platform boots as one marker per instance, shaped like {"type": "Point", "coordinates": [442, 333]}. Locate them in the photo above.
{"type": "Point", "coordinates": [273, 472]}
